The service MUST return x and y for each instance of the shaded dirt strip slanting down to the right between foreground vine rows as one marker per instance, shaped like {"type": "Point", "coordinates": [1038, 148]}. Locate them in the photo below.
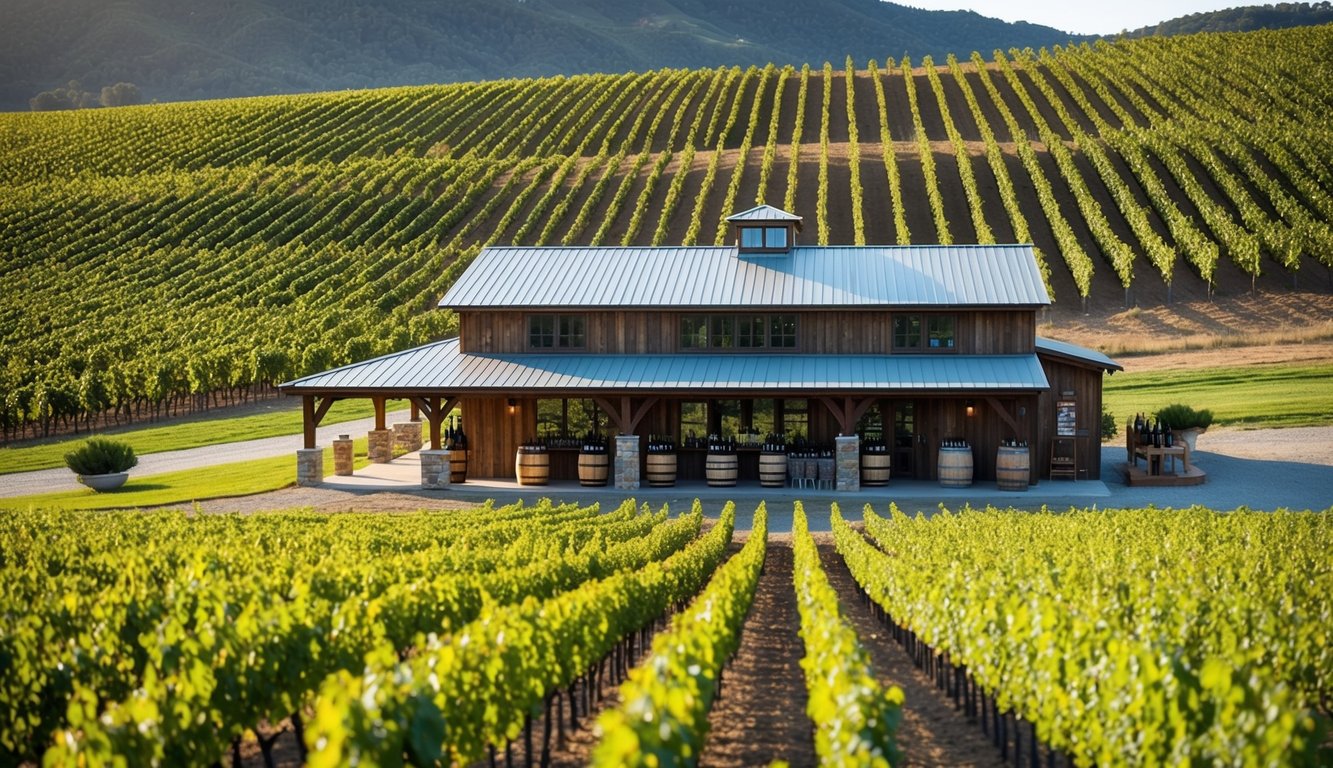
{"type": "Point", "coordinates": [932, 733]}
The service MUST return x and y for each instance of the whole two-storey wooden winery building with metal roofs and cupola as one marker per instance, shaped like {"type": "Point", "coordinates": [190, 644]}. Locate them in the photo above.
{"type": "Point", "coordinates": [840, 350]}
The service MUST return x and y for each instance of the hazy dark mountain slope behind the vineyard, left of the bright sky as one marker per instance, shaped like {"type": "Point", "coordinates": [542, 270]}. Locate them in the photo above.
{"type": "Point", "coordinates": [179, 51]}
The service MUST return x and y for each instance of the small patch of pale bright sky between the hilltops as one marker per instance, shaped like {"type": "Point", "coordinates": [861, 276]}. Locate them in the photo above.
{"type": "Point", "coordinates": [1082, 17]}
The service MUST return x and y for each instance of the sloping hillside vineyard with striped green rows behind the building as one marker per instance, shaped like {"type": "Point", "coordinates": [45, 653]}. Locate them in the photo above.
{"type": "Point", "coordinates": [155, 255]}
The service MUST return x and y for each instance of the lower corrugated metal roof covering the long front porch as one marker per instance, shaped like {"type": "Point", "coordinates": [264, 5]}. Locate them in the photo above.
{"type": "Point", "coordinates": [442, 369]}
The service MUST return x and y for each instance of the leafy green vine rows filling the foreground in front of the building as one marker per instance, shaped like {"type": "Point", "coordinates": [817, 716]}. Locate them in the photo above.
{"type": "Point", "coordinates": [1098, 637]}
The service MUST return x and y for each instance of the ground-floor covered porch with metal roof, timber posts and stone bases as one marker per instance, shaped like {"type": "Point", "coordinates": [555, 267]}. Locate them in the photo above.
{"type": "Point", "coordinates": [840, 407]}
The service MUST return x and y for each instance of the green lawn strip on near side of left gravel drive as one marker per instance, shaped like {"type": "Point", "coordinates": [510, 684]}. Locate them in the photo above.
{"type": "Point", "coordinates": [239, 479]}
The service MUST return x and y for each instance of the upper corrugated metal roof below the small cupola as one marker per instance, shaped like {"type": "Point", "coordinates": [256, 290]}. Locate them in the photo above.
{"type": "Point", "coordinates": [704, 278]}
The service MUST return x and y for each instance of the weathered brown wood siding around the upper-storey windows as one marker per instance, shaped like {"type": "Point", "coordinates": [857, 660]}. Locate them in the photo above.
{"type": "Point", "coordinates": [834, 333]}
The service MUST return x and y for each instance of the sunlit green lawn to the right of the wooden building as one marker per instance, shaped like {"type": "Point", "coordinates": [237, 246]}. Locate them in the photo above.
{"type": "Point", "coordinates": [1252, 397]}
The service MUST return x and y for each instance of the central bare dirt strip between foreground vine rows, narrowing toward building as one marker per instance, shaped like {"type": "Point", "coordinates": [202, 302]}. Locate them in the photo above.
{"type": "Point", "coordinates": [760, 715]}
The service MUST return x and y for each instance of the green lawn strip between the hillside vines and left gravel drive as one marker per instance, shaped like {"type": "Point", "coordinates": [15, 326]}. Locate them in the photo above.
{"type": "Point", "coordinates": [279, 418]}
